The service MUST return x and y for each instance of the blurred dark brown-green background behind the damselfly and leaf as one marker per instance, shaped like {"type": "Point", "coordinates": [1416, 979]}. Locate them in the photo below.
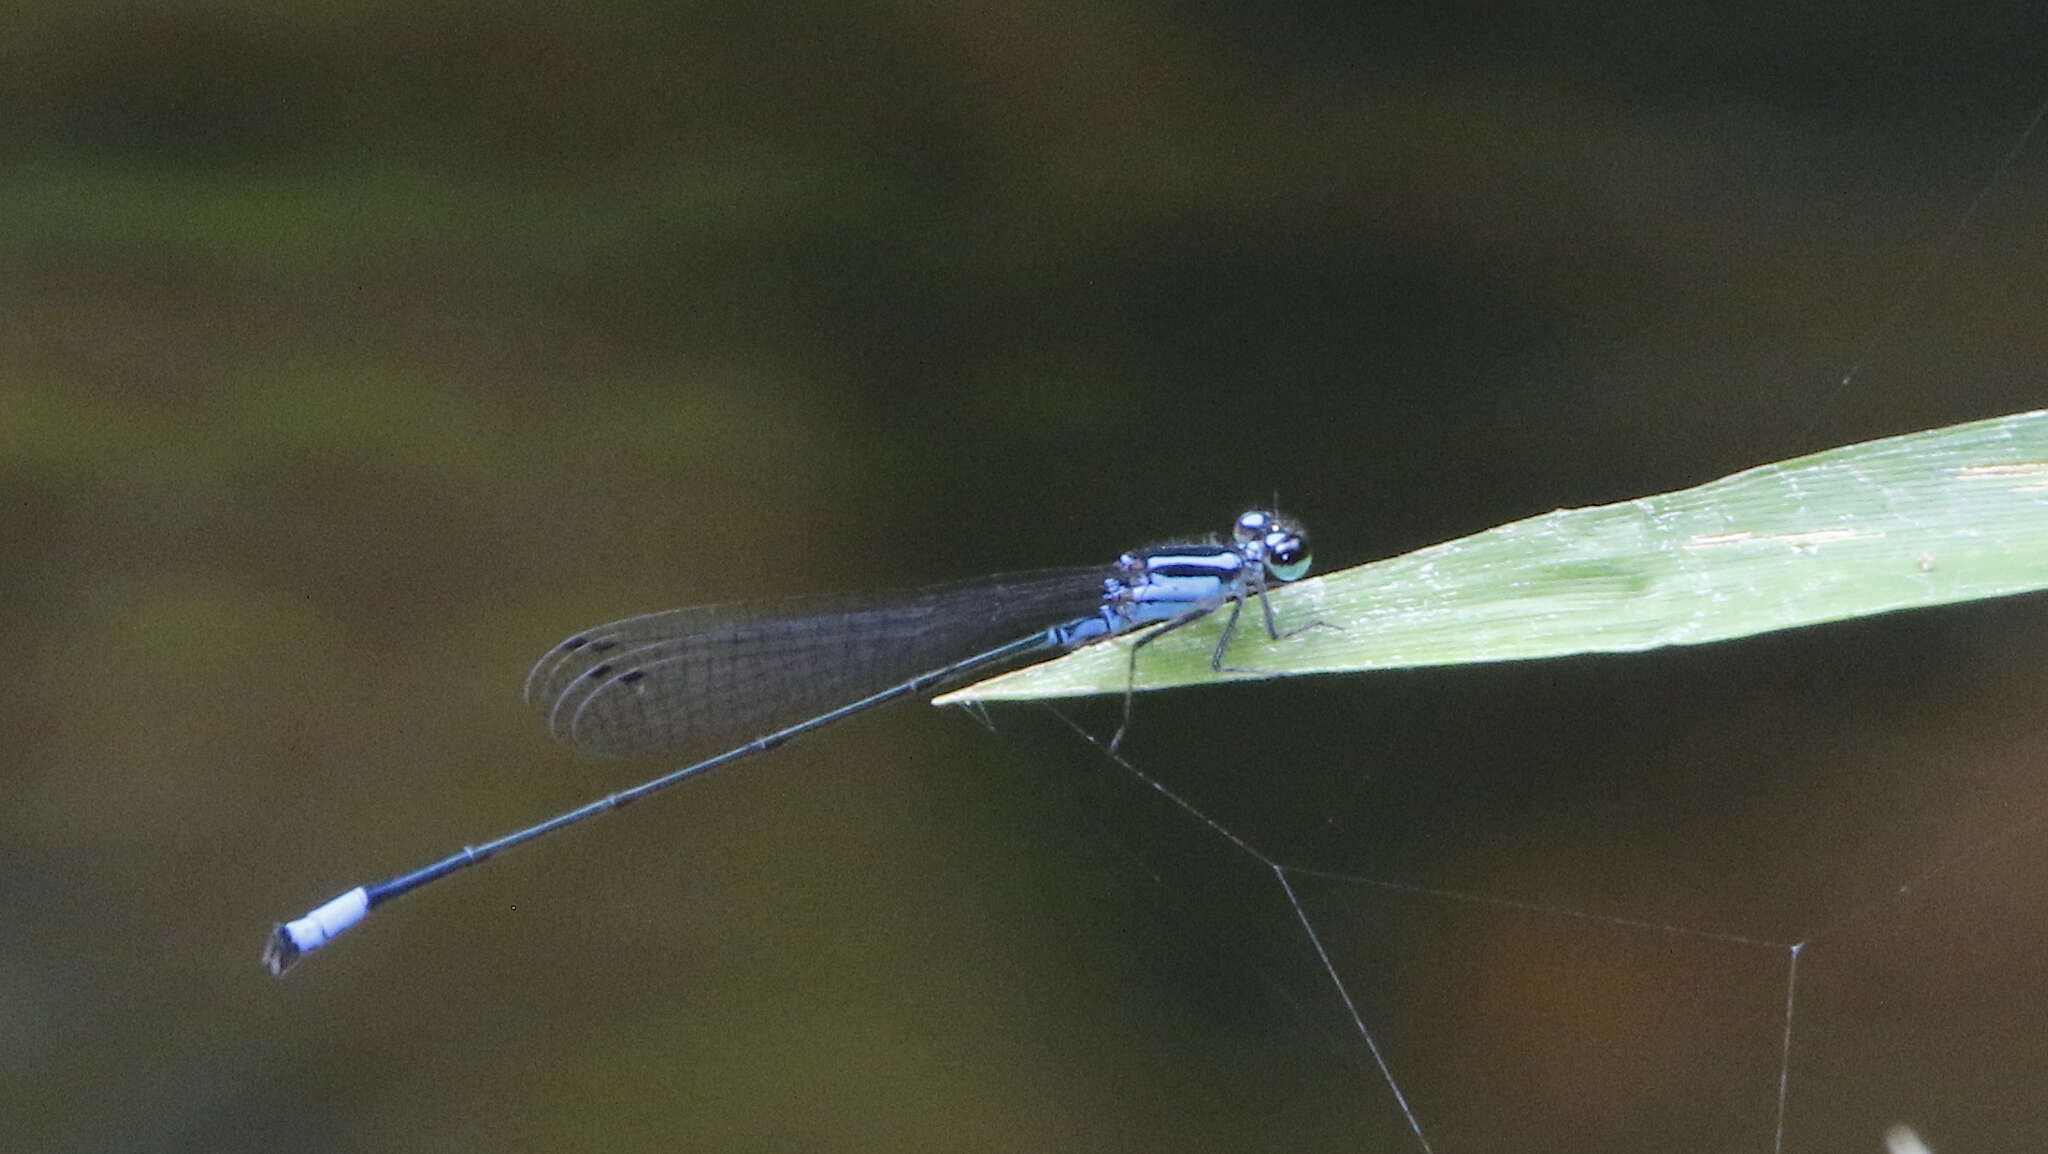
{"type": "Point", "coordinates": [351, 356]}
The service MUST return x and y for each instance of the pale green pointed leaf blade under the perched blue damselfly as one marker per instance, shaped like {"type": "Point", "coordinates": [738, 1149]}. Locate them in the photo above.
{"type": "Point", "coordinates": [1910, 522]}
